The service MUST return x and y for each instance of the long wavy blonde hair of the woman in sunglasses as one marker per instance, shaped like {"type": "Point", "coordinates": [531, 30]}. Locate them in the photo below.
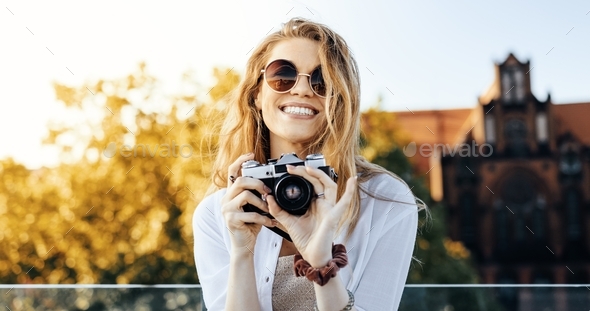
{"type": "Point", "coordinates": [243, 129]}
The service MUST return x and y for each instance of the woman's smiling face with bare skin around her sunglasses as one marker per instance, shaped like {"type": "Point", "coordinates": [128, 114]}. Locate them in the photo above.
{"type": "Point", "coordinates": [293, 118]}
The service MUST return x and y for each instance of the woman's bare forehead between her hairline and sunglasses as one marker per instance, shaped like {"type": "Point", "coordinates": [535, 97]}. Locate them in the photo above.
{"type": "Point", "coordinates": [302, 52]}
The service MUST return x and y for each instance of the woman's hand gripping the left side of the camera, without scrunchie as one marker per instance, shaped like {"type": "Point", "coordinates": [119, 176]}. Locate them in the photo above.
{"type": "Point", "coordinates": [244, 226]}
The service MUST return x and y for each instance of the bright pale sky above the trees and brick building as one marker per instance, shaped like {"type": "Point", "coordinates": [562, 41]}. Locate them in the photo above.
{"type": "Point", "coordinates": [415, 55]}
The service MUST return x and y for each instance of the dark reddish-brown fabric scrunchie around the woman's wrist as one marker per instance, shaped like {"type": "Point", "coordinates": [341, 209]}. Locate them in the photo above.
{"type": "Point", "coordinates": [324, 274]}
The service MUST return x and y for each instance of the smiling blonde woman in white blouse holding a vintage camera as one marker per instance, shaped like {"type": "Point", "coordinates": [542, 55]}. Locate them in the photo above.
{"type": "Point", "coordinates": [301, 94]}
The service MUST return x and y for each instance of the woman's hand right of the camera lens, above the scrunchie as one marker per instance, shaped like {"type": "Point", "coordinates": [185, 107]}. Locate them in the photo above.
{"type": "Point", "coordinates": [313, 232]}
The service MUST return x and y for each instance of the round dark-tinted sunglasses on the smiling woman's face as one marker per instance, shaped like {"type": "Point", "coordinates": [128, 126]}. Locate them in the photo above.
{"type": "Point", "coordinates": [282, 76]}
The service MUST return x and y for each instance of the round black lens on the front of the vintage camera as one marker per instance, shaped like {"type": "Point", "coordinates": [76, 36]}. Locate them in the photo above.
{"type": "Point", "coordinates": [293, 194]}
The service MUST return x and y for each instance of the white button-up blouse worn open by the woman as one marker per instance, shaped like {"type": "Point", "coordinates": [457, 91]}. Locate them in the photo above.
{"type": "Point", "coordinates": [379, 249]}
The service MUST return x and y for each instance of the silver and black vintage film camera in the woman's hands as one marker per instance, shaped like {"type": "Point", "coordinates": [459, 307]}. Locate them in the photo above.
{"type": "Point", "coordinates": [292, 193]}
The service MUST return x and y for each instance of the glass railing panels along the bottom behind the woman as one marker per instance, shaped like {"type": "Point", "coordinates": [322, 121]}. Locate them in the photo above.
{"type": "Point", "coordinates": [456, 297]}
